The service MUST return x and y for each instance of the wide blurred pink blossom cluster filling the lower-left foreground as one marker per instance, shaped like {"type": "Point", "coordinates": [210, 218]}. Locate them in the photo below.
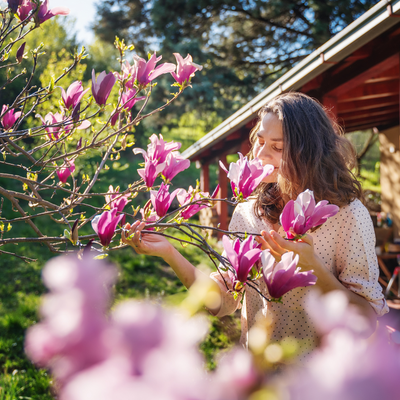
{"type": "Point", "coordinates": [141, 351]}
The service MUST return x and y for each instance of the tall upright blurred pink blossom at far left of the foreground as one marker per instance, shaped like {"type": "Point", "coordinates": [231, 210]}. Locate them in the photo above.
{"type": "Point", "coordinates": [70, 336]}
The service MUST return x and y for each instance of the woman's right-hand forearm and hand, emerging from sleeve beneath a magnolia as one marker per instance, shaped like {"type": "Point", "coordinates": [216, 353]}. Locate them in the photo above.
{"type": "Point", "coordinates": [308, 260]}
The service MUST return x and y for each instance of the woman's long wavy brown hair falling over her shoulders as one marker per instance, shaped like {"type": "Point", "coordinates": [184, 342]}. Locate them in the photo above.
{"type": "Point", "coordinates": [316, 156]}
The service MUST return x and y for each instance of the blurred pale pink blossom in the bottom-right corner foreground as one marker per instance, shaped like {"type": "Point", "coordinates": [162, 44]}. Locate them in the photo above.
{"type": "Point", "coordinates": [347, 368]}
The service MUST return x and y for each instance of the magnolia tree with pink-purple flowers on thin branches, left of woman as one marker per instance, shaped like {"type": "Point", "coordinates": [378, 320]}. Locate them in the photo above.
{"type": "Point", "coordinates": [42, 157]}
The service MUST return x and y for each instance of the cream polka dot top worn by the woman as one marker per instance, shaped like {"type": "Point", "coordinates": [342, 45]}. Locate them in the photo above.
{"type": "Point", "coordinates": [345, 243]}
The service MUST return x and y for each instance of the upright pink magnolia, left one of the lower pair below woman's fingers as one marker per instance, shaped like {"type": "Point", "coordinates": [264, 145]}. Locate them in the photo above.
{"type": "Point", "coordinates": [242, 256]}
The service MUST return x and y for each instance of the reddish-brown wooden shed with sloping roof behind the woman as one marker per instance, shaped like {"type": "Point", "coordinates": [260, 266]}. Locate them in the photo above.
{"type": "Point", "coordinates": [356, 75]}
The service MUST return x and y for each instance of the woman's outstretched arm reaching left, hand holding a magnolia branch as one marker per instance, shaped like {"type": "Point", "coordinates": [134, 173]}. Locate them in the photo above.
{"type": "Point", "coordinates": [159, 246]}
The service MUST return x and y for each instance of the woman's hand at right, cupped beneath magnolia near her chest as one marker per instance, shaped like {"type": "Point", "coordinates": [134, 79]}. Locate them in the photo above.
{"type": "Point", "coordinates": [277, 245]}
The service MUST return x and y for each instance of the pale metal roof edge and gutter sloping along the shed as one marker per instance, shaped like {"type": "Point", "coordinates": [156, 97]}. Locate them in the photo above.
{"type": "Point", "coordinates": [366, 28]}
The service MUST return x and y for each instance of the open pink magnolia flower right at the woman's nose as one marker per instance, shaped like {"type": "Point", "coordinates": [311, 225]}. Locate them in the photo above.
{"type": "Point", "coordinates": [246, 175]}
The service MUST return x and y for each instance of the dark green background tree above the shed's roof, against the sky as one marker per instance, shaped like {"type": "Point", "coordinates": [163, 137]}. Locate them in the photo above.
{"type": "Point", "coordinates": [244, 45]}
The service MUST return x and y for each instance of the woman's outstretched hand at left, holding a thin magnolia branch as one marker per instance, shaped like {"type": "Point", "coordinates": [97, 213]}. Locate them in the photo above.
{"type": "Point", "coordinates": [145, 243]}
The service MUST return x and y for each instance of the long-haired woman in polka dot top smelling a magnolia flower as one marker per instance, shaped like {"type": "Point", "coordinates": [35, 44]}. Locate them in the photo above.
{"type": "Point", "coordinates": [295, 135]}
